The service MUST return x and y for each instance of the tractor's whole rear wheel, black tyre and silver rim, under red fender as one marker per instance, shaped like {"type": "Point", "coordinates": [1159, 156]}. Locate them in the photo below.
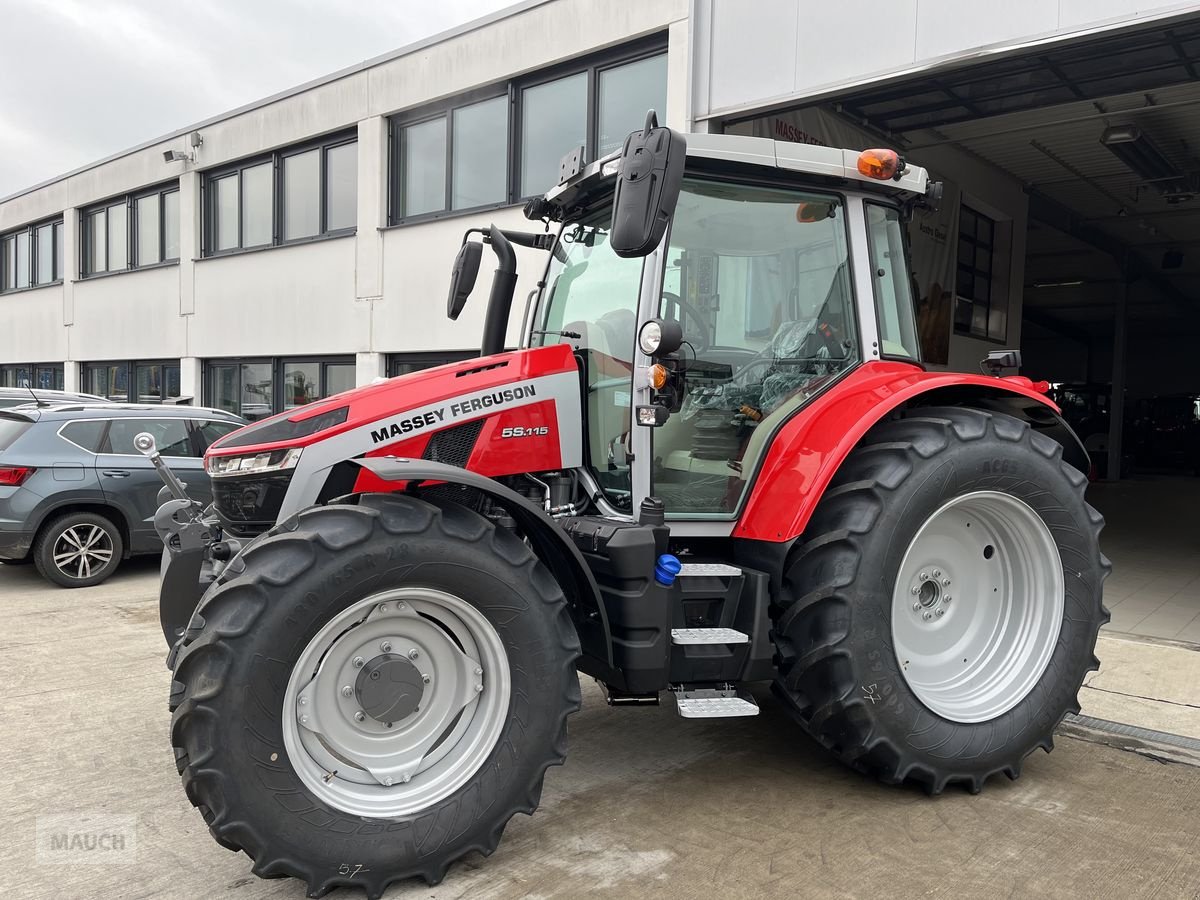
{"type": "Point", "coordinates": [939, 619]}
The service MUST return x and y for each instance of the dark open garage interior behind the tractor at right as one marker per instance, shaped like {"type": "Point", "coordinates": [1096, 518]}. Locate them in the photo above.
{"type": "Point", "coordinates": [1103, 136]}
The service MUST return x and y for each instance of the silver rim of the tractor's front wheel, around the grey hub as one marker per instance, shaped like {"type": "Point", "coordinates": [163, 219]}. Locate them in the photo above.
{"type": "Point", "coordinates": [364, 766]}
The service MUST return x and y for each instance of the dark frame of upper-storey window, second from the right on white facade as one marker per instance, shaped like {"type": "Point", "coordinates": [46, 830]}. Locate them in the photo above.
{"type": "Point", "coordinates": [279, 201]}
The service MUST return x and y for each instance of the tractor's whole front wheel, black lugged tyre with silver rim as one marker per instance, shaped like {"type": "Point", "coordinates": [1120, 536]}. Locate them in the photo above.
{"type": "Point", "coordinates": [371, 692]}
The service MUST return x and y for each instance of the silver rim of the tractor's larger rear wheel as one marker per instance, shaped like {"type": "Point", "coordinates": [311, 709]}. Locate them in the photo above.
{"type": "Point", "coordinates": [977, 607]}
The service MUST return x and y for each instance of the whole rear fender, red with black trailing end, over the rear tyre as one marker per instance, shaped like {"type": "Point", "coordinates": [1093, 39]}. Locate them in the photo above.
{"type": "Point", "coordinates": [809, 448]}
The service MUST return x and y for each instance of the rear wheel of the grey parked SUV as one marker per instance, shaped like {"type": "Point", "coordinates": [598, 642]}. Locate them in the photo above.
{"type": "Point", "coordinates": [79, 550]}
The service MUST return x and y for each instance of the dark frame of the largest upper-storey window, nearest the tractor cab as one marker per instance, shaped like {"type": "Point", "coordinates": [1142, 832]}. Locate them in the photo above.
{"type": "Point", "coordinates": [614, 58]}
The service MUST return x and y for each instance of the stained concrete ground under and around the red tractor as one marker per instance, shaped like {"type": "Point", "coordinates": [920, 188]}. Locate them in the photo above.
{"type": "Point", "coordinates": [647, 806]}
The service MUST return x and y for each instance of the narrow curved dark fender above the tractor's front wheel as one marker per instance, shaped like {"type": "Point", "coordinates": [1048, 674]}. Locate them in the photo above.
{"type": "Point", "coordinates": [550, 543]}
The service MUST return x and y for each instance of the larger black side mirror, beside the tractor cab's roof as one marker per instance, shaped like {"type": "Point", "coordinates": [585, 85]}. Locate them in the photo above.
{"type": "Point", "coordinates": [649, 183]}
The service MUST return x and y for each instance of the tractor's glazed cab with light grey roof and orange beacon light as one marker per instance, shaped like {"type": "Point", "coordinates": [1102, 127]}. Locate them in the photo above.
{"type": "Point", "coordinates": [778, 269]}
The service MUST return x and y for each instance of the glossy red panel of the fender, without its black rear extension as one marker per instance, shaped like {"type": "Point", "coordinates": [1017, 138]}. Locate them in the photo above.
{"type": "Point", "coordinates": [812, 446]}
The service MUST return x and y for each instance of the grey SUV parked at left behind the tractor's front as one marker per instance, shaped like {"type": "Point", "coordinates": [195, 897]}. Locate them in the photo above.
{"type": "Point", "coordinates": [76, 496]}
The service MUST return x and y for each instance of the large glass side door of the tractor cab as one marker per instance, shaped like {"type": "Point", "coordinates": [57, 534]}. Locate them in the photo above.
{"type": "Point", "coordinates": [760, 280]}
